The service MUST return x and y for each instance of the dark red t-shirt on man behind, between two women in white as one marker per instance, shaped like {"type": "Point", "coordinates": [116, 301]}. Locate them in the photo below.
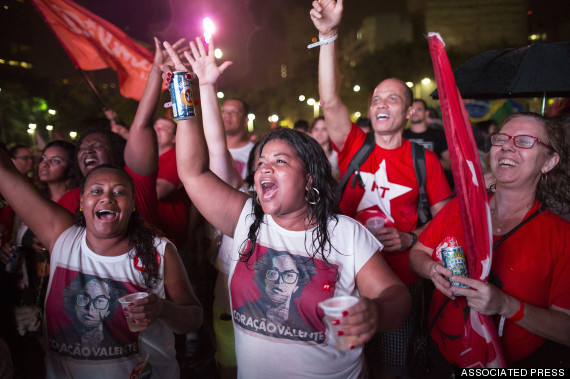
{"type": "Point", "coordinates": [173, 210]}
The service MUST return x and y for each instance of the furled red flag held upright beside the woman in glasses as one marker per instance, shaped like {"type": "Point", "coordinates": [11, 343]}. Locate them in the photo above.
{"type": "Point", "coordinates": [482, 345]}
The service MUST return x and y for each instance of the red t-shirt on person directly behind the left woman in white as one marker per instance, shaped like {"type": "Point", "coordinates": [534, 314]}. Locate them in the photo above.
{"type": "Point", "coordinates": [145, 197]}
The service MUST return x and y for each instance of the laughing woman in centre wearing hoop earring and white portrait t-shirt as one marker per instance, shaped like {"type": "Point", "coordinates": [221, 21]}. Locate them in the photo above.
{"type": "Point", "coordinates": [291, 250]}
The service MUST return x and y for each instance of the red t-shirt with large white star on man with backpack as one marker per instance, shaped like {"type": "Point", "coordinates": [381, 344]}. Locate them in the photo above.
{"type": "Point", "coordinates": [390, 191]}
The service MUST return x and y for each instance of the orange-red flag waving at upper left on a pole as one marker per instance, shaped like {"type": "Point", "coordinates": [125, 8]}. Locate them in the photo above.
{"type": "Point", "coordinates": [92, 44]}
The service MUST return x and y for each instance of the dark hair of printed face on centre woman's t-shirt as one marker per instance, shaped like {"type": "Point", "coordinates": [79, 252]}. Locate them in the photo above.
{"type": "Point", "coordinates": [304, 265]}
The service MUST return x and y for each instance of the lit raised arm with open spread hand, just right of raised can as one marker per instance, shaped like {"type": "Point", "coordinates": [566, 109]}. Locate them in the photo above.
{"type": "Point", "coordinates": [204, 66]}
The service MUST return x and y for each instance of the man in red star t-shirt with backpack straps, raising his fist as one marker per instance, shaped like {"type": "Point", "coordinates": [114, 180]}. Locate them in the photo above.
{"type": "Point", "coordinates": [389, 187]}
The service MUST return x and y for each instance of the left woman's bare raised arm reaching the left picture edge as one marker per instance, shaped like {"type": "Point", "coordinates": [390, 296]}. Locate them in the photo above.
{"type": "Point", "coordinates": [45, 218]}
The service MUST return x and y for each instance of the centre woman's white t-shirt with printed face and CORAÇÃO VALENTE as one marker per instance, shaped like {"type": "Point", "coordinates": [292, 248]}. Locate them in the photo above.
{"type": "Point", "coordinates": [279, 327]}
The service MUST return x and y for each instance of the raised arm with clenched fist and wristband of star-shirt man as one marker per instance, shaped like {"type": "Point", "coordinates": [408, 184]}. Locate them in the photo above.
{"type": "Point", "coordinates": [326, 15]}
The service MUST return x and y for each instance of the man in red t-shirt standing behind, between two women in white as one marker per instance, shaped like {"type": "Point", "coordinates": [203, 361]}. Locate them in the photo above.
{"type": "Point", "coordinates": [173, 202]}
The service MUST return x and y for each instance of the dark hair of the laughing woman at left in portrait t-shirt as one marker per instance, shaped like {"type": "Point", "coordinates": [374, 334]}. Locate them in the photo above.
{"type": "Point", "coordinates": [140, 236]}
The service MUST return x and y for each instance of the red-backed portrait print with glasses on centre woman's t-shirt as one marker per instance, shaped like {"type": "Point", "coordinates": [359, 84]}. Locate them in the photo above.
{"type": "Point", "coordinates": [281, 295]}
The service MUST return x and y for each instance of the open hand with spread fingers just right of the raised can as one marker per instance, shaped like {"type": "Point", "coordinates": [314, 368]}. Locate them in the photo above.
{"type": "Point", "coordinates": [204, 63]}
